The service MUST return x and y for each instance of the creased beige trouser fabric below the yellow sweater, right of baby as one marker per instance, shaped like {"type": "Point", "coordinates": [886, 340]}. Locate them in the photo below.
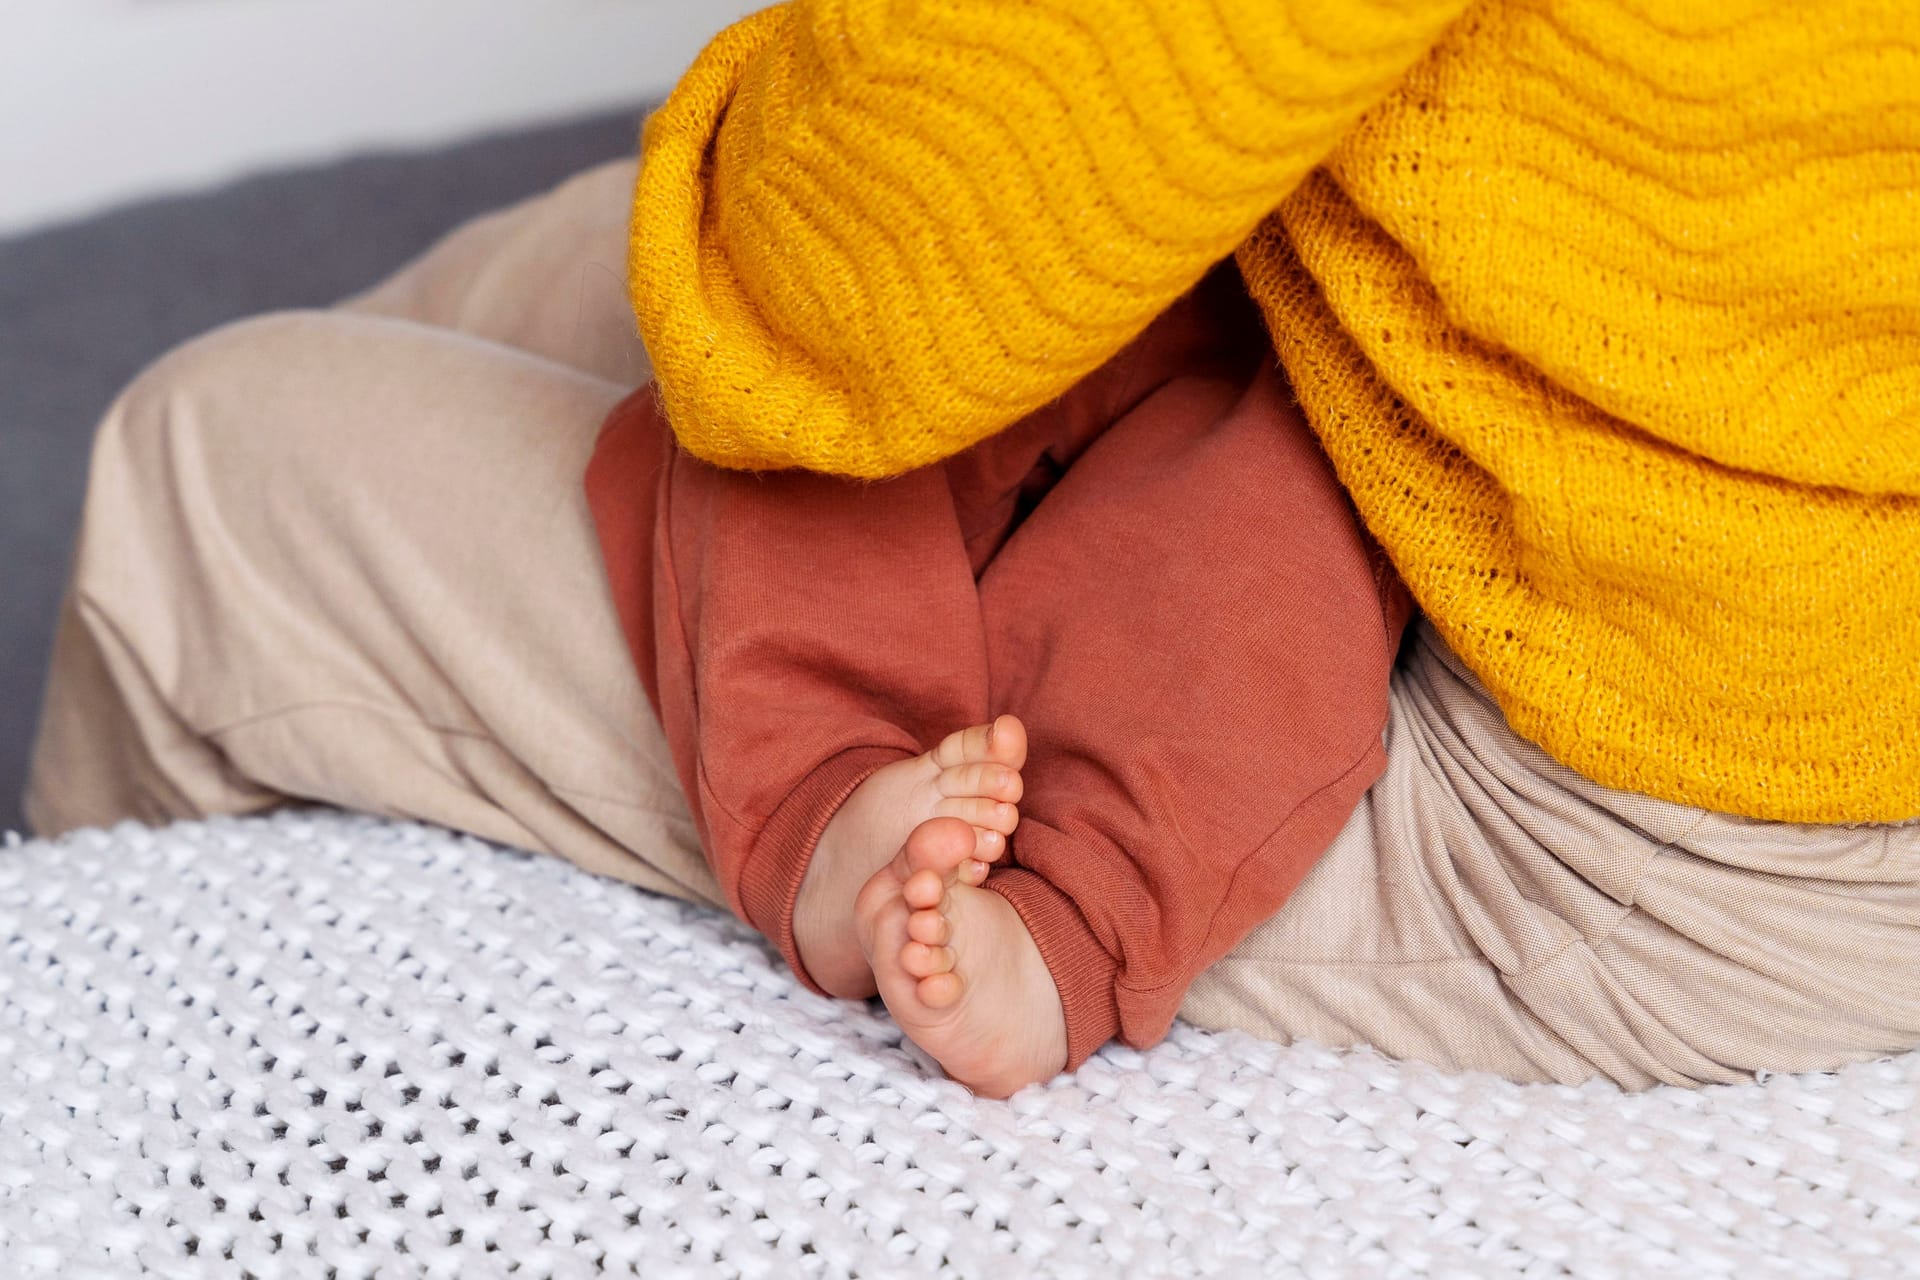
{"type": "Point", "coordinates": [1489, 909]}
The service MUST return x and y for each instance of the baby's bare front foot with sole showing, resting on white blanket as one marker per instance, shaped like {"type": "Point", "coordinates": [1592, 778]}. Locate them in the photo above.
{"type": "Point", "coordinates": [959, 970]}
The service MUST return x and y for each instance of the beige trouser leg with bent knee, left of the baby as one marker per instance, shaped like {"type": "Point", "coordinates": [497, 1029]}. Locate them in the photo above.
{"type": "Point", "coordinates": [347, 557]}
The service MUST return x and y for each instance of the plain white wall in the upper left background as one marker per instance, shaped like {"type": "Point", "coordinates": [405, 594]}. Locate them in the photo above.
{"type": "Point", "coordinates": [110, 101]}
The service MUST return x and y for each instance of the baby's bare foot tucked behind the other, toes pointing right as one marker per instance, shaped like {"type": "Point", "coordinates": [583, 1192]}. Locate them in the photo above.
{"type": "Point", "coordinates": [972, 776]}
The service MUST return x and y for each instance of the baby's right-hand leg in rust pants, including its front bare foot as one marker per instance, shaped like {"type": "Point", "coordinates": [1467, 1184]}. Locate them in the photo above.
{"type": "Point", "coordinates": [1199, 636]}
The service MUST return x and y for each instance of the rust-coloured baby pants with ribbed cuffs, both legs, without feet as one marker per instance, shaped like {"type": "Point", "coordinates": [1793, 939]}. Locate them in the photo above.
{"type": "Point", "coordinates": [1159, 575]}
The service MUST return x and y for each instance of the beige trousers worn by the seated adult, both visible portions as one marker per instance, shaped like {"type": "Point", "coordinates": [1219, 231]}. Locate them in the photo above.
{"type": "Point", "coordinates": [347, 557]}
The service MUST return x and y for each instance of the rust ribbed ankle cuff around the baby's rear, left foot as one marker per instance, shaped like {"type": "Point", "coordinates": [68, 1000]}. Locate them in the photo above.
{"type": "Point", "coordinates": [771, 878]}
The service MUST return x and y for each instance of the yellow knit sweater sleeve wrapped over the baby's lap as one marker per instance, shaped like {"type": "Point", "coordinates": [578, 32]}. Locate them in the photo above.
{"type": "Point", "coordinates": [871, 233]}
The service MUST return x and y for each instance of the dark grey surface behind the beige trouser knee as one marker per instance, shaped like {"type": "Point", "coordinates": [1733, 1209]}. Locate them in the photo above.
{"type": "Point", "coordinates": [85, 306]}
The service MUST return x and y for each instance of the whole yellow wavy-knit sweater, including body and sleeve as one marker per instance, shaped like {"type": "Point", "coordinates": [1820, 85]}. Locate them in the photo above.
{"type": "Point", "coordinates": [1608, 314]}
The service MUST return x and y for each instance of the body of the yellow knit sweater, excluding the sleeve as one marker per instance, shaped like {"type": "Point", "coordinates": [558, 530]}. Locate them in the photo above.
{"type": "Point", "coordinates": [1612, 327]}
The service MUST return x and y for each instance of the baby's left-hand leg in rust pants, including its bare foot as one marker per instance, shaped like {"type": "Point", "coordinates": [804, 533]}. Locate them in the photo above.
{"type": "Point", "coordinates": [817, 659]}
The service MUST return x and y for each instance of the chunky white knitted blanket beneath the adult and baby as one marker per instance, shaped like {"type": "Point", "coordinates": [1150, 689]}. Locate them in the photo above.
{"type": "Point", "coordinates": [322, 1045]}
